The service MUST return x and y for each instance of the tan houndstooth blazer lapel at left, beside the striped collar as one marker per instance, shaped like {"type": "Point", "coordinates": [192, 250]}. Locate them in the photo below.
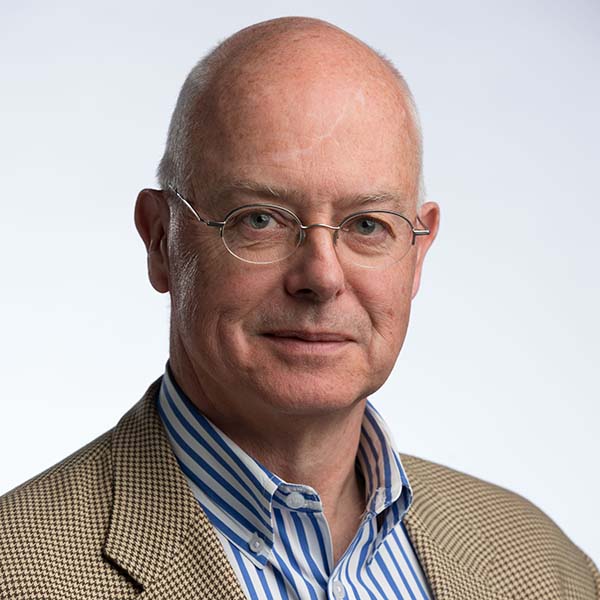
{"type": "Point", "coordinates": [157, 534]}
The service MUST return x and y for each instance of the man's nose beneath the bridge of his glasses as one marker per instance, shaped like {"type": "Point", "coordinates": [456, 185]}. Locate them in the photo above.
{"type": "Point", "coordinates": [315, 273]}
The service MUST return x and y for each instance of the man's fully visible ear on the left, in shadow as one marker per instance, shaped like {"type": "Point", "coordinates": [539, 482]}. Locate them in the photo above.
{"type": "Point", "coordinates": [152, 222]}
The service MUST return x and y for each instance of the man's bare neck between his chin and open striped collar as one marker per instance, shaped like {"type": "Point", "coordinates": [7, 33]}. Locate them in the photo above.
{"type": "Point", "coordinates": [318, 450]}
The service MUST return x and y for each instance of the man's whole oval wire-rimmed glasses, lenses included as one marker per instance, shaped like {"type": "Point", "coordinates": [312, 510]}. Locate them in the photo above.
{"type": "Point", "coordinates": [263, 234]}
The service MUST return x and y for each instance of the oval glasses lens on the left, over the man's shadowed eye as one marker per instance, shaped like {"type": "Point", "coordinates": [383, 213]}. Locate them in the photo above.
{"type": "Point", "coordinates": [261, 234]}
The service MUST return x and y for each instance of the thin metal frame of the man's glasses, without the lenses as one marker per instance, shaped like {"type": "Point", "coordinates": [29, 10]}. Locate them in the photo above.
{"type": "Point", "coordinates": [303, 228]}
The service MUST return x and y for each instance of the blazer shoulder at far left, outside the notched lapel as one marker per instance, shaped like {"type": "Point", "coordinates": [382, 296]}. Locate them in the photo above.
{"type": "Point", "coordinates": [52, 529]}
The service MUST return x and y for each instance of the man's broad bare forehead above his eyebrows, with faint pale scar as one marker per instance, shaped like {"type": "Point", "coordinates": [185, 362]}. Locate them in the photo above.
{"type": "Point", "coordinates": [332, 127]}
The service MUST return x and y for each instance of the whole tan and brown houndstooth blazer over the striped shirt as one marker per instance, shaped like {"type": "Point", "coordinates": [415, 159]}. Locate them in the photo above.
{"type": "Point", "coordinates": [116, 520]}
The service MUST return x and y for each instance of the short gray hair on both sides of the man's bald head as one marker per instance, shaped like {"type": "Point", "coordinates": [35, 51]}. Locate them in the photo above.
{"type": "Point", "coordinates": [176, 167]}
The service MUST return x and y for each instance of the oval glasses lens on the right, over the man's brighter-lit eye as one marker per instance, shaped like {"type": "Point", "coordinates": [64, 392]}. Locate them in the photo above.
{"type": "Point", "coordinates": [374, 239]}
